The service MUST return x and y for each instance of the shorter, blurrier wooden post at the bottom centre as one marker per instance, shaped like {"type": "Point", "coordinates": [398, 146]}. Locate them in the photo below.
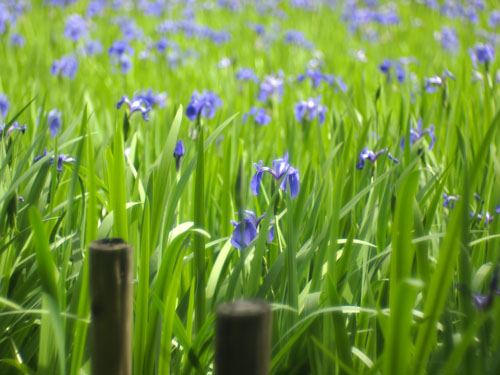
{"type": "Point", "coordinates": [243, 338]}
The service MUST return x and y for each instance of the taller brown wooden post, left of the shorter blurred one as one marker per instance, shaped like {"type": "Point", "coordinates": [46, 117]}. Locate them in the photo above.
{"type": "Point", "coordinates": [111, 307]}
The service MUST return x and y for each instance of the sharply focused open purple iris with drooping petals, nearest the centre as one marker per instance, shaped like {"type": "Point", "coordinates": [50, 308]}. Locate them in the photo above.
{"type": "Point", "coordinates": [281, 170]}
